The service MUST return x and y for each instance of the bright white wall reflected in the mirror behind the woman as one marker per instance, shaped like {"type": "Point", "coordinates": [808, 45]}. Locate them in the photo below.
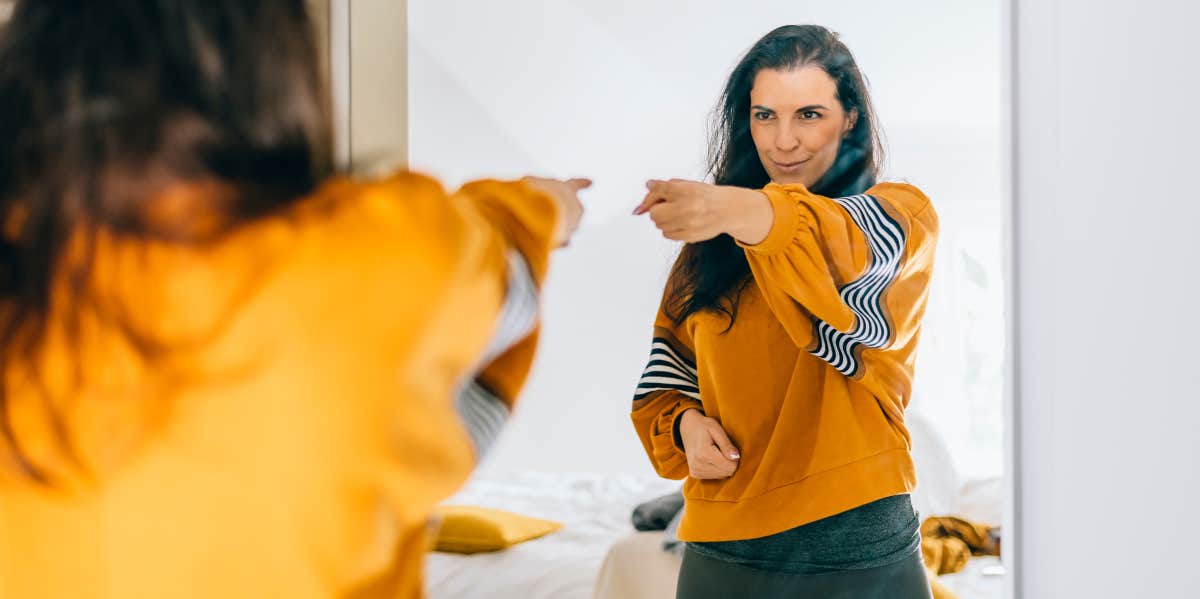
{"type": "Point", "coordinates": [622, 92]}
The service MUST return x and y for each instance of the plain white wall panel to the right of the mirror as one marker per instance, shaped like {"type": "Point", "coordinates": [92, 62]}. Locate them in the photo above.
{"type": "Point", "coordinates": [1108, 320]}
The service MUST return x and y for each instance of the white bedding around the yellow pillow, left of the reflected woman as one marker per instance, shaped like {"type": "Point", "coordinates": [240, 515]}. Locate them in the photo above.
{"type": "Point", "coordinates": [565, 565]}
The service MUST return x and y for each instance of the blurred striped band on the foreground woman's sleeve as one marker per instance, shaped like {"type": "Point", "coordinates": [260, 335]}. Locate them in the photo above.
{"type": "Point", "coordinates": [482, 412]}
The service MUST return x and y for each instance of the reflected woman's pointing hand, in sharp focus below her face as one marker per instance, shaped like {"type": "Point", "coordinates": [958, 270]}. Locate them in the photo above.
{"type": "Point", "coordinates": [698, 212]}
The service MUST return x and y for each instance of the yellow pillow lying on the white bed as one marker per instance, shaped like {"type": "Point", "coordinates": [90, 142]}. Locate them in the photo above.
{"type": "Point", "coordinates": [471, 530]}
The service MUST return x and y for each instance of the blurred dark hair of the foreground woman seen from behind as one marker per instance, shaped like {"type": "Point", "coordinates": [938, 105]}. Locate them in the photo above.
{"type": "Point", "coordinates": [106, 105]}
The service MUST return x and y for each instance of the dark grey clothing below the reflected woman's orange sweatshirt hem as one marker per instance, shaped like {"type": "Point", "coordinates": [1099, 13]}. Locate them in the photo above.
{"type": "Point", "coordinates": [872, 552]}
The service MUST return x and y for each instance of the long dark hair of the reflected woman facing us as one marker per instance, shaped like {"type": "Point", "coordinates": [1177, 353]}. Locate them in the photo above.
{"type": "Point", "coordinates": [711, 275]}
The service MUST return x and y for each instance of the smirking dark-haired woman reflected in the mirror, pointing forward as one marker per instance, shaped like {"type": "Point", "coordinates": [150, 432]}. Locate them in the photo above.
{"type": "Point", "coordinates": [784, 350]}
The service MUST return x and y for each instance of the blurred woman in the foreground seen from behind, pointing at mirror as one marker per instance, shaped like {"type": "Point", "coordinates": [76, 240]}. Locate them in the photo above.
{"type": "Point", "coordinates": [226, 374]}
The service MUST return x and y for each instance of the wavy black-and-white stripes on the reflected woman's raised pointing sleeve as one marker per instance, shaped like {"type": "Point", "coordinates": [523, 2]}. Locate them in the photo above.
{"type": "Point", "coordinates": [865, 296]}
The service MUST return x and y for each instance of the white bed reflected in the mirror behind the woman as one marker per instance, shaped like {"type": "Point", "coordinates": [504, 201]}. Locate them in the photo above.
{"type": "Point", "coordinates": [598, 555]}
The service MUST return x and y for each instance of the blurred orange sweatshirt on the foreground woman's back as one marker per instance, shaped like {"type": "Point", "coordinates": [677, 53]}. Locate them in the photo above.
{"type": "Point", "coordinates": [331, 376]}
